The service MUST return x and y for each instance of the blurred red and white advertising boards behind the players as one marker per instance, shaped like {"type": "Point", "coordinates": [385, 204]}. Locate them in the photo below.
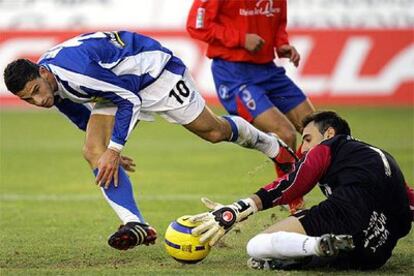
{"type": "Point", "coordinates": [353, 51]}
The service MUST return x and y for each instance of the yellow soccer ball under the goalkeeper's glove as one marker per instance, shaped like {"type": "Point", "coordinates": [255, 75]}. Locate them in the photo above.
{"type": "Point", "coordinates": [181, 245]}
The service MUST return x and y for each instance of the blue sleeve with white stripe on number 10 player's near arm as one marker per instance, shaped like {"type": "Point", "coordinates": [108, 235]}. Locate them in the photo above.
{"type": "Point", "coordinates": [103, 83]}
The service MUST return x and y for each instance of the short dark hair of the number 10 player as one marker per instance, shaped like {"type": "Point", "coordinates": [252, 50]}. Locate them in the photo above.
{"type": "Point", "coordinates": [18, 73]}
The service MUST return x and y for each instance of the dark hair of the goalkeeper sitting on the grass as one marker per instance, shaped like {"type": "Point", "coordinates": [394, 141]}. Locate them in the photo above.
{"type": "Point", "coordinates": [326, 119]}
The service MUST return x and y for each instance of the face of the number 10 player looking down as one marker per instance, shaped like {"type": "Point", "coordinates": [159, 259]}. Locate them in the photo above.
{"type": "Point", "coordinates": [38, 92]}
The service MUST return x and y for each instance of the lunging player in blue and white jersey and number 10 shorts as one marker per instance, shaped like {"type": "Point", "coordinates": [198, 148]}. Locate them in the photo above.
{"type": "Point", "coordinates": [105, 82]}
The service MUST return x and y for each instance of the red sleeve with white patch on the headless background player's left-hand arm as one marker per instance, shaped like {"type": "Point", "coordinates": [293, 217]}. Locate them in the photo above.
{"type": "Point", "coordinates": [202, 25]}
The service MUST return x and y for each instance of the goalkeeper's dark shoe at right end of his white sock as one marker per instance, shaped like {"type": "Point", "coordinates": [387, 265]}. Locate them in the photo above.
{"type": "Point", "coordinates": [330, 245]}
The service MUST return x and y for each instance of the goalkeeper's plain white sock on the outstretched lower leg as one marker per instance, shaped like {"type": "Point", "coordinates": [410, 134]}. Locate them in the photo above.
{"type": "Point", "coordinates": [282, 245]}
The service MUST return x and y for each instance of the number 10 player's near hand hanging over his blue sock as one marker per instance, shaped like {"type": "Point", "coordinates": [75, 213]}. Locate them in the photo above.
{"type": "Point", "coordinates": [108, 168]}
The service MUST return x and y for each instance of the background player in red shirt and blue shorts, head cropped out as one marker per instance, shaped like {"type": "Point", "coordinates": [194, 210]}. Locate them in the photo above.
{"type": "Point", "coordinates": [242, 38]}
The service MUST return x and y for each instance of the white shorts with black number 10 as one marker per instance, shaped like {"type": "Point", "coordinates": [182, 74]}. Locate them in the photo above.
{"type": "Point", "coordinates": [173, 97]}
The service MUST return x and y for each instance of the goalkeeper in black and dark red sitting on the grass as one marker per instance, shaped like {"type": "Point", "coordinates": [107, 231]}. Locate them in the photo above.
{"type": "Point", "coordinates": [357, 226]}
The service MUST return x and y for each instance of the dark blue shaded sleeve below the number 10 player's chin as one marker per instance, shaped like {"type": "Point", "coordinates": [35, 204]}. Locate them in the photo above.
{"type": "Point", "coordinates": [78, 113]}
